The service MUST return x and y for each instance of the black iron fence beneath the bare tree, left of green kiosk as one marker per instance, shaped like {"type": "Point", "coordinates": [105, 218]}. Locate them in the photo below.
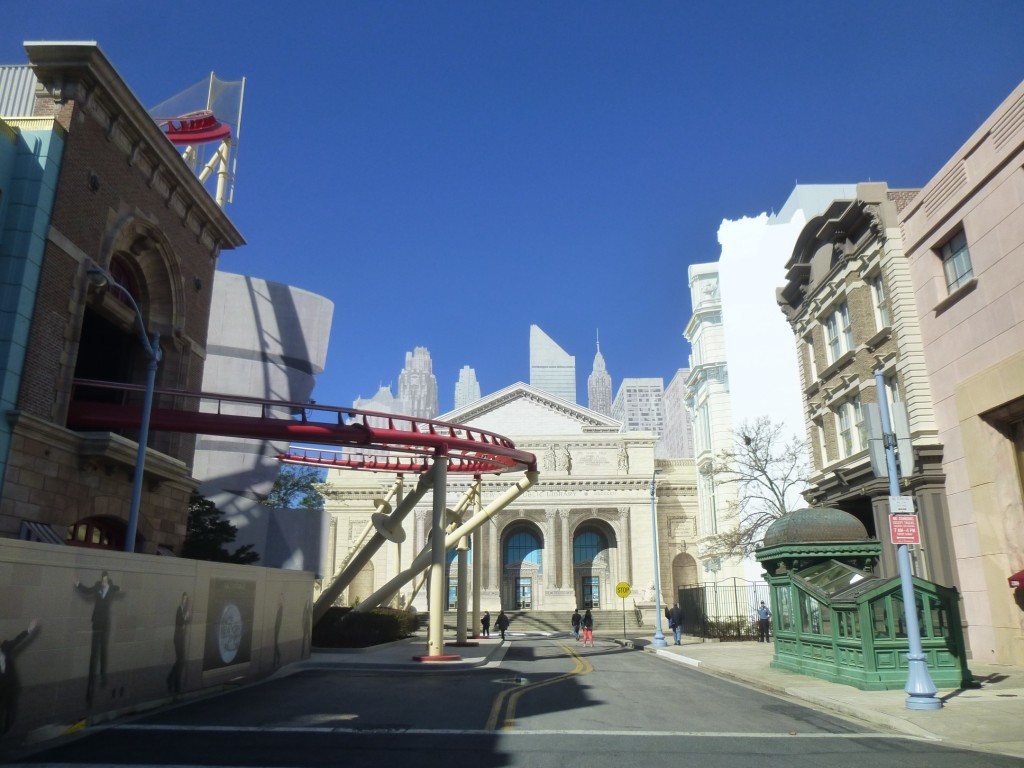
{"type": "Point", "coordinates": [724, 611]}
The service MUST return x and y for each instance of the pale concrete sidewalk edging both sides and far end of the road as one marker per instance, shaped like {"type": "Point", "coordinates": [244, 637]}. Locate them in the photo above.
{"type": "Point", "coordinates": [990, 718]}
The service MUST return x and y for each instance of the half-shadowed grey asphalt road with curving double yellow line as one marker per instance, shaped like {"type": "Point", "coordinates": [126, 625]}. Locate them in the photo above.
{"type": "Point", "coordinates": [550, 703]}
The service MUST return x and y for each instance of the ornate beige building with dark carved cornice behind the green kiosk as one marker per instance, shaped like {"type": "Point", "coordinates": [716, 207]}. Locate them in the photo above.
{"type": "Point", "coordinates": [849, 303]}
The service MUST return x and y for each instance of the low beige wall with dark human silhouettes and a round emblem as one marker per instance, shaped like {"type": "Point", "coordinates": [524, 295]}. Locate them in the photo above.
{"type": "Point", "coordinates": [89, 633]}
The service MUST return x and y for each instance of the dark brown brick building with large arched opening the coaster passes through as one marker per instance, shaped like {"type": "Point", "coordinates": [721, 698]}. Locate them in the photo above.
{"type": "Point", "coordinates": [123, 201]}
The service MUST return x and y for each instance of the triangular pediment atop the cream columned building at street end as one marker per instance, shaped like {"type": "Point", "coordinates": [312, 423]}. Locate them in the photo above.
{"type": "Point", "coordinates": [522, 410]}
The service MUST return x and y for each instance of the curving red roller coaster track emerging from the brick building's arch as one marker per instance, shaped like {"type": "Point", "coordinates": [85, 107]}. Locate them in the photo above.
{"type": "Point", "coordinates": [405, 445]}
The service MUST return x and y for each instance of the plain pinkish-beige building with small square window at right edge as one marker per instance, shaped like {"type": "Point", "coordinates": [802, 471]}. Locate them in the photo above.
{"type": "Point", "coordinates": [964, 238]}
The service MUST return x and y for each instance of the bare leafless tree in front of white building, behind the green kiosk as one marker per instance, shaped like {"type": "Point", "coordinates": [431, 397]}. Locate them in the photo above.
{"type": "Point", "coordinates": [770, 474]}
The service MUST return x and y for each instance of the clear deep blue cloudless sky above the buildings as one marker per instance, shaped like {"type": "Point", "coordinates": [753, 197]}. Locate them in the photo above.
{"type": "Point", "coordinates": [449, 174]}
